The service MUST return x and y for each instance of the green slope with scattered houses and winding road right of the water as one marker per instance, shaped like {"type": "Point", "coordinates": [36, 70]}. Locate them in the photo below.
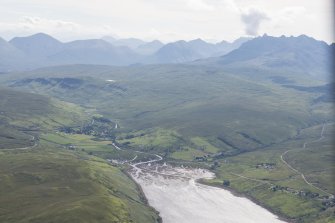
{"type": "Point", "coordinates": [316, 158]}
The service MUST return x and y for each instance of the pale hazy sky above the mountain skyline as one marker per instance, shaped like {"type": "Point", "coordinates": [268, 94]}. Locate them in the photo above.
{"type": "Point", "coordinates": [167, 20]}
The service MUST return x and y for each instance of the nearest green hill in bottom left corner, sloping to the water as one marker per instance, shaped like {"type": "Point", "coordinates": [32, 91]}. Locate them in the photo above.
{"type": "Point", "coordinates": [61, 186]}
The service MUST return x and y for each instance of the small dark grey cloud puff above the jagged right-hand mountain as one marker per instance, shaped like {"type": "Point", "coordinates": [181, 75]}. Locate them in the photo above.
{"type": "Point", "coordinates": [252, 19]}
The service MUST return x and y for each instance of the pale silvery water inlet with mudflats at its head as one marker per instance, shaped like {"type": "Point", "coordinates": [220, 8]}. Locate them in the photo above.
{"type": "Point", "coordinates": [179, 199]}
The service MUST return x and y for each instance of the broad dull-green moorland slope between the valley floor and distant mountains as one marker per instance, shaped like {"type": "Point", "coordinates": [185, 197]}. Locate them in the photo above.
{"type": "Point", "coordinates": [195, 101]}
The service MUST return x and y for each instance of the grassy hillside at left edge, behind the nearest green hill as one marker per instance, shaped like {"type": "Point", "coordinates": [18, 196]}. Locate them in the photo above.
{"type": "Point", "coordinates": [23, 115]}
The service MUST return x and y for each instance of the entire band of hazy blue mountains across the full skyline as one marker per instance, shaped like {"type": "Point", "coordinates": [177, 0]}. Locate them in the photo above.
{"type": "Point", "coordinates": [300, 54]}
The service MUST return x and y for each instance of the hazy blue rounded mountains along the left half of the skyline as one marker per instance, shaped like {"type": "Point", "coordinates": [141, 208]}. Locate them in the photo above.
{"type": "Point", "coordinates": [42, 50]}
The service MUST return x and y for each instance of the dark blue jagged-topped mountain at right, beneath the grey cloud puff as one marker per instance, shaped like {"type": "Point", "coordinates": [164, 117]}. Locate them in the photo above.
{"type": "Point", "coordinates": [300, 54]}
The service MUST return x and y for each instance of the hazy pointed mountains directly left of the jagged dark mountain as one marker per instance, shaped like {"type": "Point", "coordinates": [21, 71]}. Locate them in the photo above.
{"type": "Point", "coordinates": [182, 51]}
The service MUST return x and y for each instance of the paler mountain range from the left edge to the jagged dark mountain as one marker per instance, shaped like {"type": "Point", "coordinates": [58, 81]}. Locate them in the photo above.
{"type": "Point", "coordinates": [40, 50]}
